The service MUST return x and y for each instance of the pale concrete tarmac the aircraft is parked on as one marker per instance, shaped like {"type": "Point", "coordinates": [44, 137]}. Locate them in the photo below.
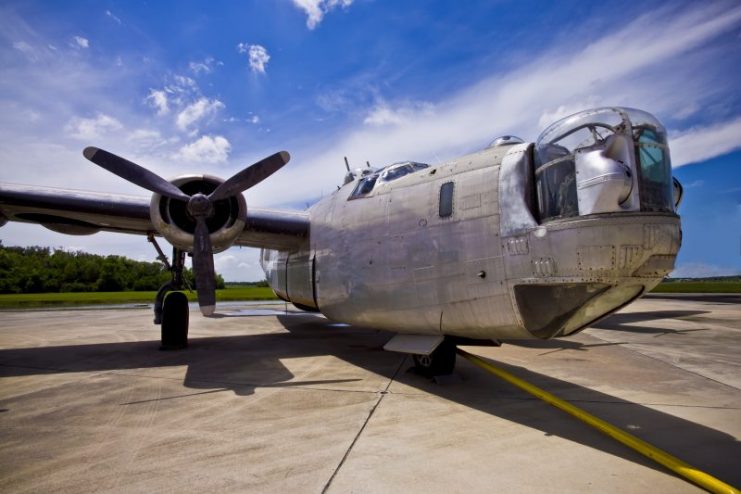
{"type": "Point", "coordinates": [275, 401]}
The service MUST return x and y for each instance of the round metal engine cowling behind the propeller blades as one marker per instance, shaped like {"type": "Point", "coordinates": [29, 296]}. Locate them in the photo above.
{"type": "Point", "coordinates": [171, 219]}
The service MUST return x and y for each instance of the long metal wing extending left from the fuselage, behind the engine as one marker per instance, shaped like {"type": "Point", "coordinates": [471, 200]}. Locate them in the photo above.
{"type": "Point", "coordinates": [77, 212]}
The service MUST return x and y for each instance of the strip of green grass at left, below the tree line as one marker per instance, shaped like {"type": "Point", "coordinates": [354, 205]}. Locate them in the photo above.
{"type": "Point", "coordinates": [29, 300]}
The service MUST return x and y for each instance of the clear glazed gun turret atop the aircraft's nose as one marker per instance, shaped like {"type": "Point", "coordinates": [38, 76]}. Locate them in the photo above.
{"type": "Point", "coordinates": [604, 160]}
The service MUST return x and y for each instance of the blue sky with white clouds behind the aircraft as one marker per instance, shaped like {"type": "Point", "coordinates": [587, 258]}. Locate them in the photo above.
{"type": "Point", "coordinates": [186, 87]}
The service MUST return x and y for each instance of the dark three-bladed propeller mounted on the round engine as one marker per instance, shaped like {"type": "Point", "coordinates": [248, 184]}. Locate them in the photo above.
{"type": "Point", "coordinates": [200, 206]}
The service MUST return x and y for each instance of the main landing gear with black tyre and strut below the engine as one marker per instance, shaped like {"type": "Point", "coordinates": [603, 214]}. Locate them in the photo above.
{"type": "Point", "coordinates": [171, 310]}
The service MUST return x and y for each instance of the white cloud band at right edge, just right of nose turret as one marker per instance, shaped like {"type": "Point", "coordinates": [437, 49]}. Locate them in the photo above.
{"type": "Point", "coordinates": [700, 144]}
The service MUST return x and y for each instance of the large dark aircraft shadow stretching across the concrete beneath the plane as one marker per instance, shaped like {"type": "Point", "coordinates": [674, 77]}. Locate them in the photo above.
{"type": "Point", "coordinates": [244, 363]}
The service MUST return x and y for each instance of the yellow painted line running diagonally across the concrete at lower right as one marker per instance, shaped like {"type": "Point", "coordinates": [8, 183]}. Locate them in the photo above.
{"type": "Point", "coordinates": [704, 480]}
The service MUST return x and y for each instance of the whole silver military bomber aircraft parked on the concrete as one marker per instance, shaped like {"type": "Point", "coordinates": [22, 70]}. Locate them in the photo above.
{"type": "Point", "coordinates": [518, 240]}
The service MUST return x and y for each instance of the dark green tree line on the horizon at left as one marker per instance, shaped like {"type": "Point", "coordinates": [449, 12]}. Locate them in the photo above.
{"type": "Point", "coordinates": [45, 270]}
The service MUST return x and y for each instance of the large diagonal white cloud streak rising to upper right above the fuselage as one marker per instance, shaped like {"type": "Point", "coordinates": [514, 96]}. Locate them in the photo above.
{"type": "Point", "coordinates": [627, 67]}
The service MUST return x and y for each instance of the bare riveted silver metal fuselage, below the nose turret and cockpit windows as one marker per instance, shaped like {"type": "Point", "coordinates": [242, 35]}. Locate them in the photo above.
{"type": "Point", "coordinates": [490, 270]}
